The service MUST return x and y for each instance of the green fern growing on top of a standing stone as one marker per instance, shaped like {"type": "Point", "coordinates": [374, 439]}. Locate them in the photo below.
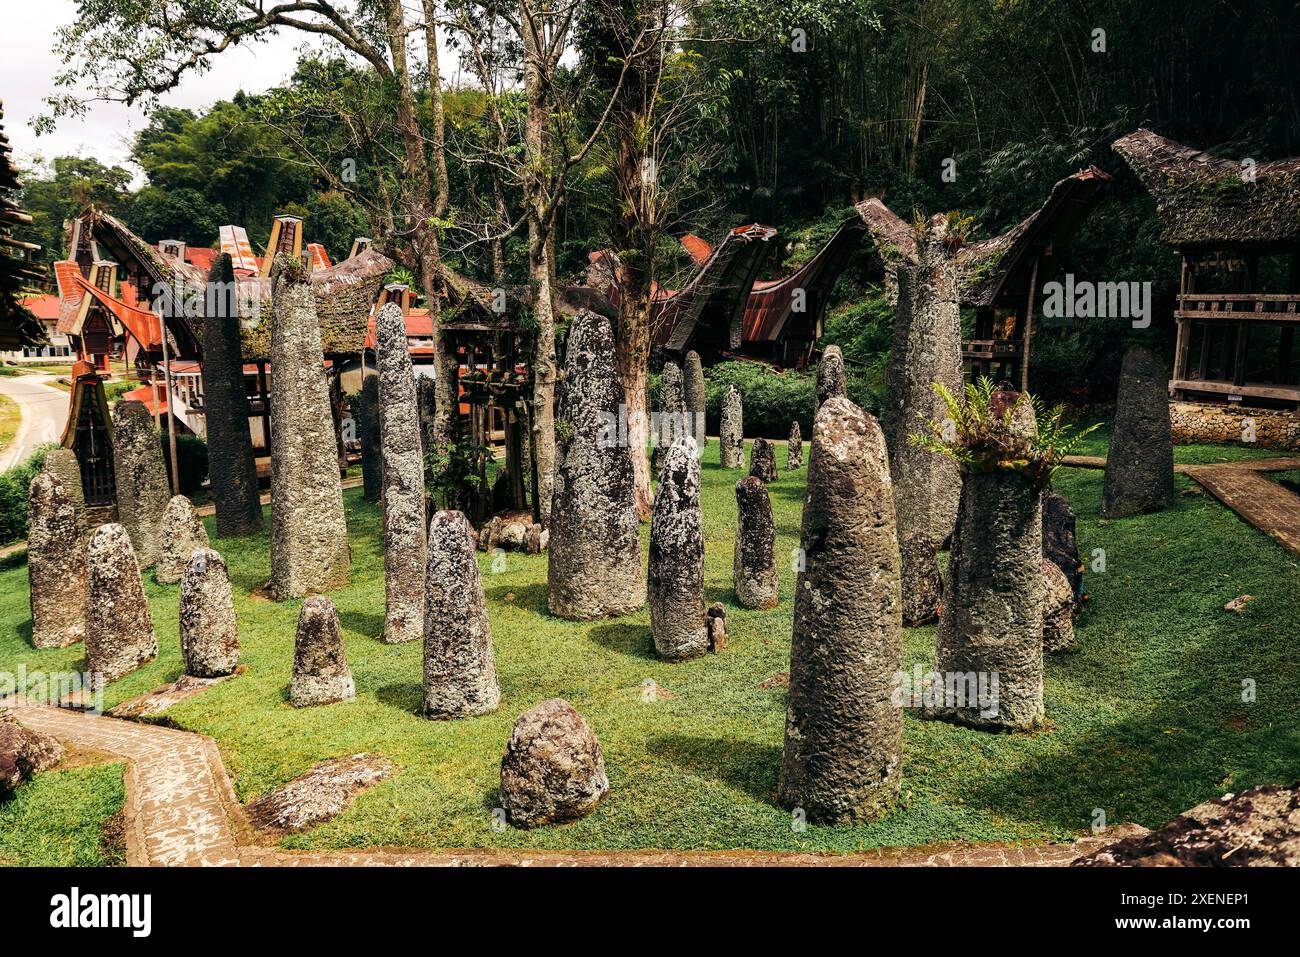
{"type": "Point", "coordinates": [978, 434]}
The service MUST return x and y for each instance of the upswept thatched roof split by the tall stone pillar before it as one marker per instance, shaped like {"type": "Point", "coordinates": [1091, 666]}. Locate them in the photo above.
{"type": "Point", "coordinates": [989, 269]}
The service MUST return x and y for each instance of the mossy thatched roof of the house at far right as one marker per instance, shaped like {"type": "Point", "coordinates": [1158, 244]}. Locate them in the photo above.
{"type": "Point", "coordinates": [1204, 201]}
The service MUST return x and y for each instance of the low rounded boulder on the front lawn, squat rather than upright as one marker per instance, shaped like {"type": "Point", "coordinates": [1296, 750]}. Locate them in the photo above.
{"type": "Point", "coordinates": [553, 770]}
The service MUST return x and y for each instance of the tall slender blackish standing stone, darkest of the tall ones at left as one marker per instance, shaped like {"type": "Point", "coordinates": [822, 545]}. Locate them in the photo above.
{"type": "Point", "coordinates": [232, 467]}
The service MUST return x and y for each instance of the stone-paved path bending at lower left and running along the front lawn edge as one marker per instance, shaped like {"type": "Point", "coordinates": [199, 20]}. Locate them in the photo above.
{"type": "Point", "coordinates": [181, 809]}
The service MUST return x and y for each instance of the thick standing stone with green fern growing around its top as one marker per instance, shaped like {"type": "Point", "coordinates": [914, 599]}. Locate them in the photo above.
{"type": "Point", "coordinates": [991, 627]}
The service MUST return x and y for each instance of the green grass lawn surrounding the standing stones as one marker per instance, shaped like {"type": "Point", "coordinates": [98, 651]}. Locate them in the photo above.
{"type": "Point", "coordinates": [1147, 718]}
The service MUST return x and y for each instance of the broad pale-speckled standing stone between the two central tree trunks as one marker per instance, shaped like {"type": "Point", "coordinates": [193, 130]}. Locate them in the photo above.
{"type": "Point", "coordinates": [593, 575]}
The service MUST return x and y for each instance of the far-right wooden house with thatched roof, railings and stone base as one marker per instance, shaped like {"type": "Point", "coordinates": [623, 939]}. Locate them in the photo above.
{"type": "Point", "coordinates": [1237, 227]}
